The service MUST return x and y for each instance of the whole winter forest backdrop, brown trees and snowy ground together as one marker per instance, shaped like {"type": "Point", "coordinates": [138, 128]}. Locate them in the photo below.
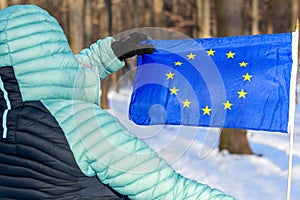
{"type": "Point", "coordinates": [253, 165]}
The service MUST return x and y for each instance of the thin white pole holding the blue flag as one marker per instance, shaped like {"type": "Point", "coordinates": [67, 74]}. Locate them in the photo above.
{"type": "Point", "coordinates": [292, 107]}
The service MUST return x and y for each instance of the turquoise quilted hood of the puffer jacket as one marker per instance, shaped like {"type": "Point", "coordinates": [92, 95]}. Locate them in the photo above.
{"type": "Point", "coordinates": [35, 46]}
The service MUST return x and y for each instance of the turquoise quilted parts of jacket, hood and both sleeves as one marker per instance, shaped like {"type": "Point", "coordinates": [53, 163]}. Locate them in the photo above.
{"type": "Point", "coordinates": [32, 42]}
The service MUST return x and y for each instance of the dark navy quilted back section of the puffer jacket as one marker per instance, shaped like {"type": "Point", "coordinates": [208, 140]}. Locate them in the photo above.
{"type": "Point", "coordinates": [36, 161]}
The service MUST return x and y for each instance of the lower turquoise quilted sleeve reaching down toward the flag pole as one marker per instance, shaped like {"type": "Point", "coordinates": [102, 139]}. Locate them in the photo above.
{"type": "Point", "coordinates": [102, 146]}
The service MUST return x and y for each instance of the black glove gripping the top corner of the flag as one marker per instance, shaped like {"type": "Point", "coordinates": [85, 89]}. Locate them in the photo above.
{"type": "Point", "coordinates": [130, 46]}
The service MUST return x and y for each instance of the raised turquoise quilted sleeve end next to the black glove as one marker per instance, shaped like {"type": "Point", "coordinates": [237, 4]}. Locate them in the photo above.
{"type": "Point", "coordinates": [100, 55]}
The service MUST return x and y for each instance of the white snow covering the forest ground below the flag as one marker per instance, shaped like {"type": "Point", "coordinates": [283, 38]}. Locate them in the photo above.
{"type": "Point", "coordinates": [193, 152]}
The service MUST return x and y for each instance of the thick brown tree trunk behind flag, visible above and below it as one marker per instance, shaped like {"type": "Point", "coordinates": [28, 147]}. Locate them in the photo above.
{"type": "Point", "coordinates": [229, 23]}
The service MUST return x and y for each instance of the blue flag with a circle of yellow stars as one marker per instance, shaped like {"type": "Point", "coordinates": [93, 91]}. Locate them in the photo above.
{"type": "Point", "coordinates": [231, 82]}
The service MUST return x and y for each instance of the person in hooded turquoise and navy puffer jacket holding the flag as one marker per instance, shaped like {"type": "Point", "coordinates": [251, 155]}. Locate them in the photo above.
{"type": "Point", "coordinates": [56, 142]}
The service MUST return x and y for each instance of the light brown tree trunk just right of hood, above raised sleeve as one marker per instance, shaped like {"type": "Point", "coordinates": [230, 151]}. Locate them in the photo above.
{"type": "Point", "coordinates": [76, 25]}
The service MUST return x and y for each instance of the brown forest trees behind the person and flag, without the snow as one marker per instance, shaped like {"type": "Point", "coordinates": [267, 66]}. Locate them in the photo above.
{"type": "Point", "coordinates": [86, 21]}
